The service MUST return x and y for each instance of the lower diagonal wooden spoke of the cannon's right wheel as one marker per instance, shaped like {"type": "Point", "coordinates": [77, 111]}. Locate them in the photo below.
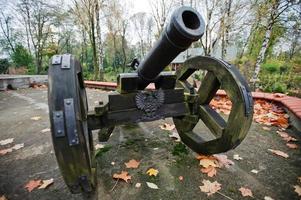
{"type": "Point", "coordinates": [212, 120]}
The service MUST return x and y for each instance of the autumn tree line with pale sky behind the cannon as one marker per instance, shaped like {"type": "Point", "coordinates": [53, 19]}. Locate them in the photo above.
{"type": "Point", "coordinates": [106, 35]}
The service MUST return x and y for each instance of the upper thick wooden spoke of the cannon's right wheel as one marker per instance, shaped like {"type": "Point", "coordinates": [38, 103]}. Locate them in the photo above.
{"type": "Point", "coordinates": [208, 88]}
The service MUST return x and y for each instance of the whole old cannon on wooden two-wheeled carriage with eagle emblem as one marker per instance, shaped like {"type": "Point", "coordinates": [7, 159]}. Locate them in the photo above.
{"type": "Point", "coordinates": [173, 96]}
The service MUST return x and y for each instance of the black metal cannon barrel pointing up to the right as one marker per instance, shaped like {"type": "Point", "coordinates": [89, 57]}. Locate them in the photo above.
{"type": "Point", "coordinates": [186, 26]}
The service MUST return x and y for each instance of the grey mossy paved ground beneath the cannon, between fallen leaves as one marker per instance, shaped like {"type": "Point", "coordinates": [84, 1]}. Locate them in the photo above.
{"type": "Point", "coordinates": [143, 141]}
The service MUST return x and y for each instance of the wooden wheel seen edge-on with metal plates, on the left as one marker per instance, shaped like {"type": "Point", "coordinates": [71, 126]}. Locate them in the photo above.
{"type": "Point", "coordinates": [72, 141]}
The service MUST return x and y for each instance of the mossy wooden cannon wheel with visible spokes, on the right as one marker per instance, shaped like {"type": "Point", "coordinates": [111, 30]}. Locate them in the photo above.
{"type": "Point", "coordinates": [219, 75]}
